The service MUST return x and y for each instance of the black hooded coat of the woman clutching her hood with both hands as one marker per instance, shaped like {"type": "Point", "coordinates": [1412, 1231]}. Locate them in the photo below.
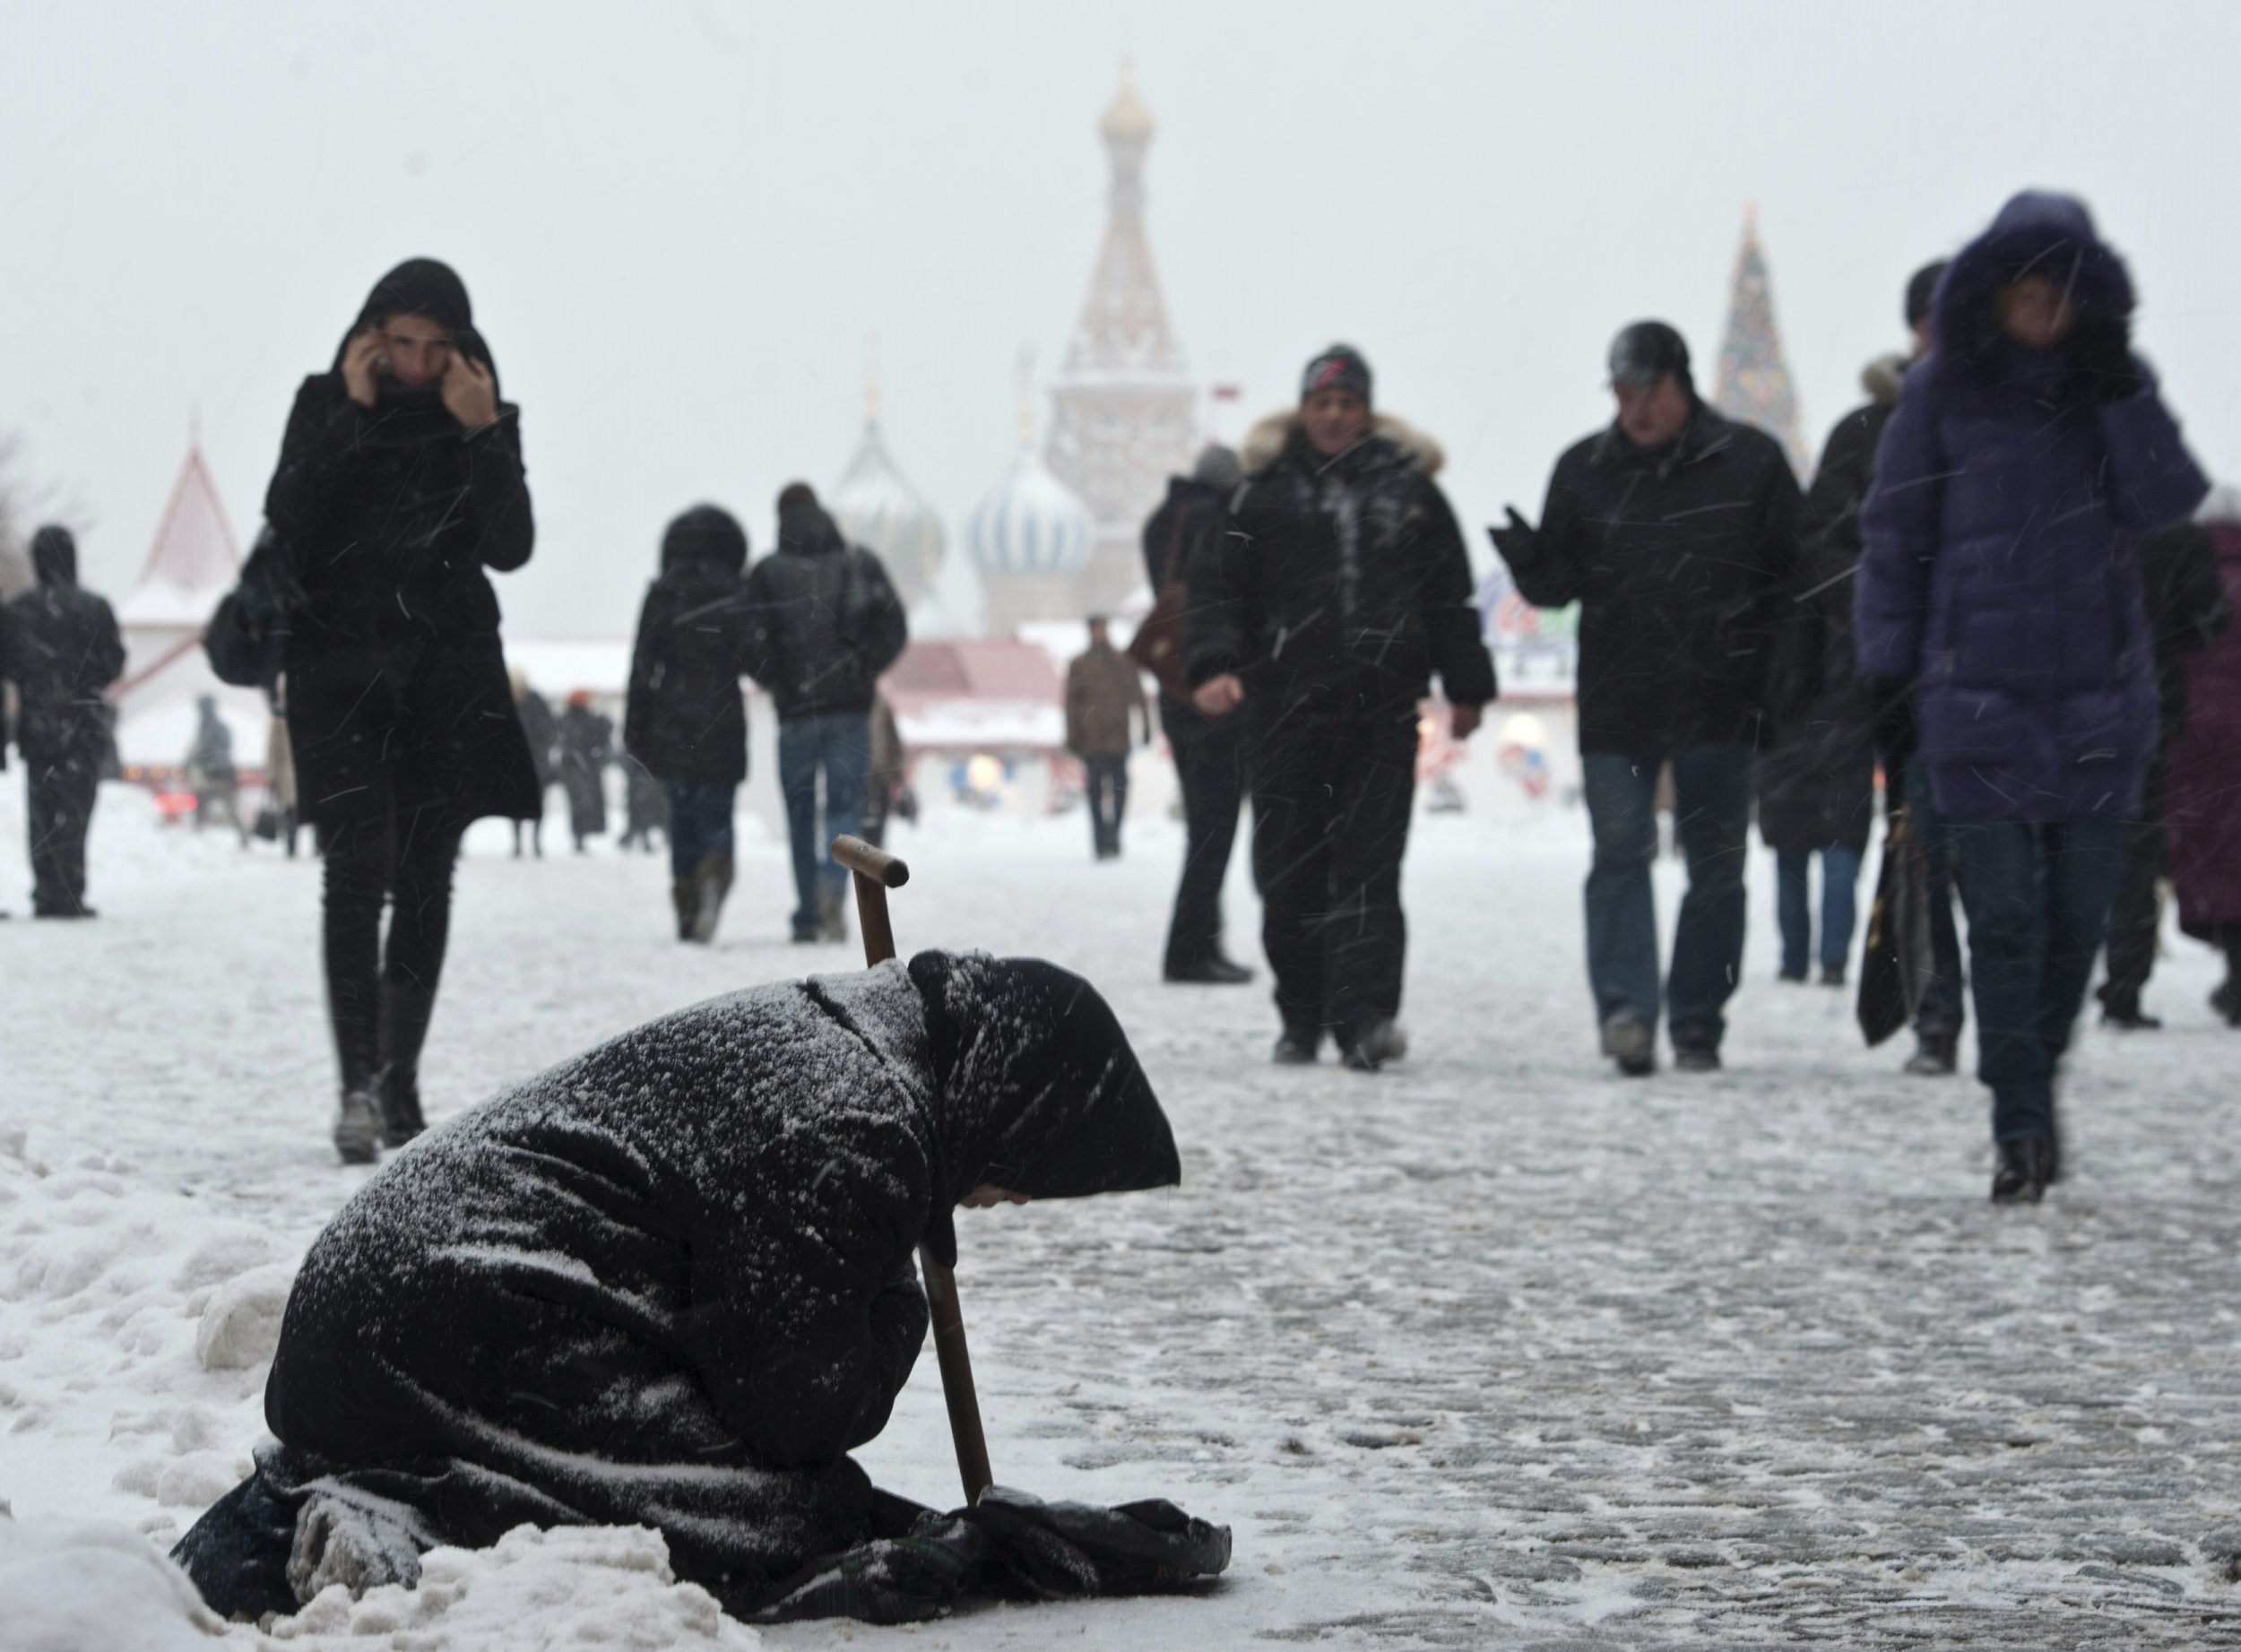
{"type": "Point", "coordinates": [391, 514]}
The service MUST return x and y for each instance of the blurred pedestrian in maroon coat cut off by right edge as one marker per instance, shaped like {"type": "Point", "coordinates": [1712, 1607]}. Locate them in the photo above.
{"type": "Point", "coordinates": [2206, 774]}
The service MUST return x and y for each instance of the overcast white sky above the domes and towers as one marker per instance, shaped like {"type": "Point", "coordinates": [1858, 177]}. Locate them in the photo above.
{"type": "Point", "coordinates": [685, 219]}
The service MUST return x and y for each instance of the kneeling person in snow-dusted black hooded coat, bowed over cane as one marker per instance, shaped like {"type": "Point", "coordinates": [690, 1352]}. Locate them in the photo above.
{"type": "Point", "coordinates": [687, 1261]}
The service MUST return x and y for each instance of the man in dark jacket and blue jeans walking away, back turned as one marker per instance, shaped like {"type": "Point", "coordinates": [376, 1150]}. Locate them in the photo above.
{"type": "Point", "coordinates": [826, 627]}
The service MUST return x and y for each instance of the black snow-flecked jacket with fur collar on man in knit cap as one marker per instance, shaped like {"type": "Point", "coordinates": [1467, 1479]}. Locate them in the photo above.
{"type": "Point", "coordinates": [1339, 579]}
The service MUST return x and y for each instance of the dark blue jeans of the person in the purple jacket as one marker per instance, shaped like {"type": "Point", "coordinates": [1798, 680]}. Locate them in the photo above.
{"type": "Point", "coordinates": [2038, 907]}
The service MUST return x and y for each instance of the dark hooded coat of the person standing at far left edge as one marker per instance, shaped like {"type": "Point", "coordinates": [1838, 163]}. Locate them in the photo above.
{"type": "Point", "coordinates": [62, 647]}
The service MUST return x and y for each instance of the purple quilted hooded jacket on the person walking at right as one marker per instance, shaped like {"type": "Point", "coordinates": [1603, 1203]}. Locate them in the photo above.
{"type": "Point", "coordinates": [1998, 568]}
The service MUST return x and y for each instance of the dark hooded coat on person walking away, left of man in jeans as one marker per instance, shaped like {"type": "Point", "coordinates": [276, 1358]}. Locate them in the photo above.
{"type": "Point", "coordinates": [687, 718]}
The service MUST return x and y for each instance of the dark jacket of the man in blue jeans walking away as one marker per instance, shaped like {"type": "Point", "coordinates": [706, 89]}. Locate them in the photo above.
{"type": "Point", "coordinates": [826, 620]}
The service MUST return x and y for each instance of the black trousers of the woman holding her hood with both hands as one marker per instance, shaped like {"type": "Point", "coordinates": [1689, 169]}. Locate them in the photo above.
{"type": "Point", "coordinates": [373, 862]}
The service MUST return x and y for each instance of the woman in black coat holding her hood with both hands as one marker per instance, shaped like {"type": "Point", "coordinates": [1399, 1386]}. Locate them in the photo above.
{"type": "Point", "coordinates": [400, 483]}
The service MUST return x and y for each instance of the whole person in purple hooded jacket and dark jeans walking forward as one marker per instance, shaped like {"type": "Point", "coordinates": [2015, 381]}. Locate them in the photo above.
{"type": "Point", "coordinates": [2002, 627]}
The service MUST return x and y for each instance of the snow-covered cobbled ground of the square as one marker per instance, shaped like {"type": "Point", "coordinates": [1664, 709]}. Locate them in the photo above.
{"type": "Point", "coordinates": [1489, 1351]}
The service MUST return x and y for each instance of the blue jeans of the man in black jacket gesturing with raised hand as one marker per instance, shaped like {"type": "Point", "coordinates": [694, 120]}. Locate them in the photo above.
{"type": "Point", "coordinates": [1713, 815]}
